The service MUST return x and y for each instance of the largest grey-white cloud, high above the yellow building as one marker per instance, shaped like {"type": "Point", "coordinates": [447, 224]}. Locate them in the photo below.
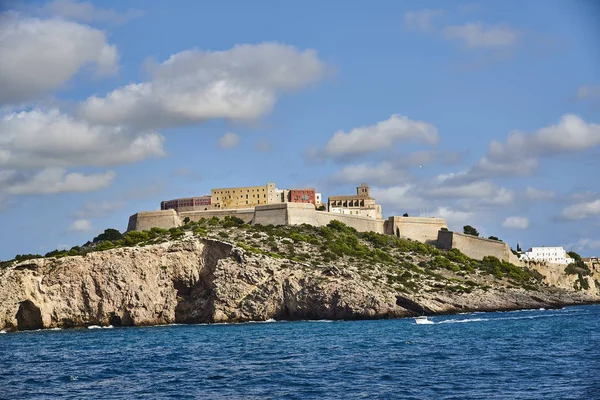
{"type": "Point", "coordinates": [193, 86]}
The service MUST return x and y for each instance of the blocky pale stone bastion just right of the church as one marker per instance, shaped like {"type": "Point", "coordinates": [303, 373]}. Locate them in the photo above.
{"type": "Point", "coordinates": [421, 229]}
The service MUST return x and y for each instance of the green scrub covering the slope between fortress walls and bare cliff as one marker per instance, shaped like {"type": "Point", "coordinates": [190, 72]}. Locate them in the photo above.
{"type": "Point", "coordinates": [404, 265]}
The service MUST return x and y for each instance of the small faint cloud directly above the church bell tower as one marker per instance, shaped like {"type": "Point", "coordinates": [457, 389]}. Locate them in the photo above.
{"type": "Point", "coordinates": [383, 173]}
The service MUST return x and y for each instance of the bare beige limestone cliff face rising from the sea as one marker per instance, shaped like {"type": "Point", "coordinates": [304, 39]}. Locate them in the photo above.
{"type": "Point", "coordinates": [201, 280]}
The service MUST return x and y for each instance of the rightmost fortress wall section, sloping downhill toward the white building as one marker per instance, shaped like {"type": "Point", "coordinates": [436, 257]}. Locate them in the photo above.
{"type": "Point", "coordinates": [472, 246]}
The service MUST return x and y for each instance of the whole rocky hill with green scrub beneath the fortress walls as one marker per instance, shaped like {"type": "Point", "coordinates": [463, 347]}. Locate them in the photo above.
{"type": "Point", "coordinates": [228, 271]}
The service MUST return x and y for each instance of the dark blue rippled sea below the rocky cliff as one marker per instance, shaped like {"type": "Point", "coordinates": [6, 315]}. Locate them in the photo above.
{"type": "Point", "coordinates": [539, 354]}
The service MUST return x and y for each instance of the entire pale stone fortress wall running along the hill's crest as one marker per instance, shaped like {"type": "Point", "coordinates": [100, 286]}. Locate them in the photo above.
{"type": "Point", "coordinates": [422, 229]}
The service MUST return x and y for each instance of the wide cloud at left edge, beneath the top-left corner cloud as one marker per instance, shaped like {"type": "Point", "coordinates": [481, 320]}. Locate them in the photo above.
{"type": "Point", "coordinates": [41, 138]}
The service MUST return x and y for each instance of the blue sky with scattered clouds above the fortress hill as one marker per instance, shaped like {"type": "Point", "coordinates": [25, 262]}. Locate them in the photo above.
{"type": "Point", "coordinates": [484, 113]}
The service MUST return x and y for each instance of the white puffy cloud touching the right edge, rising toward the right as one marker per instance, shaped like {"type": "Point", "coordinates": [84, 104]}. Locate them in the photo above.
{"type": "Point", "coordinates": [519, 154]}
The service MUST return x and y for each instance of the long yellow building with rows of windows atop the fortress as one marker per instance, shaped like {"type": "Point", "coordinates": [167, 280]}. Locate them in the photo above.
{"type": "Point", "coordinates": [243, 197]}
